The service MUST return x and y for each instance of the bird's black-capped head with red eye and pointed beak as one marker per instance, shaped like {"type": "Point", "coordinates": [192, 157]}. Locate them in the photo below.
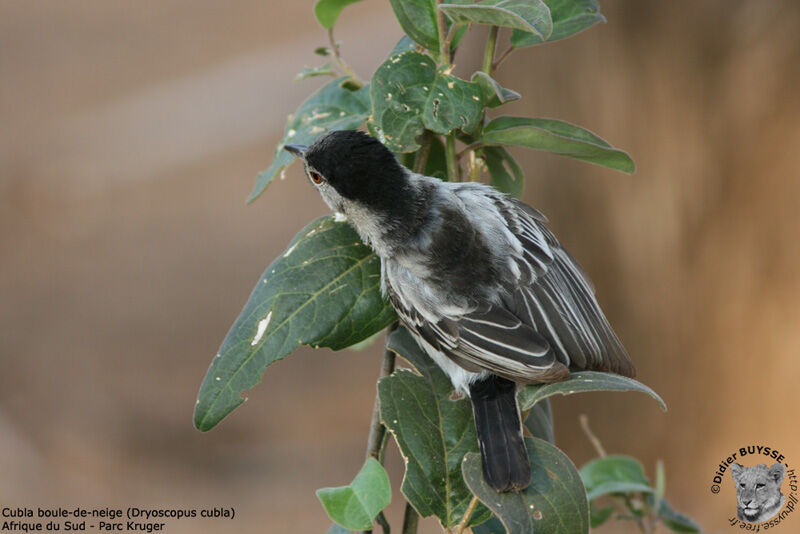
{"type": "Point", "coordinates": [357, 167]}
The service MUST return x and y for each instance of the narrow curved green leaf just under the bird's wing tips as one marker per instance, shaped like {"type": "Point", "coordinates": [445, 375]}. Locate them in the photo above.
{"type": "Point", "coordinates": [582, 382]}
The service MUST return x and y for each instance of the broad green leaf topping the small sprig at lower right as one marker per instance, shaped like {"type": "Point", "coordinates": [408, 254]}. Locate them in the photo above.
{"type": "Point", "coordinates": [614, 474]}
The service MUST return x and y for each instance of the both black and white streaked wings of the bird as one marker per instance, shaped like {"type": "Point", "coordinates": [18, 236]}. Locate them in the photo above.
{"type": "Point", "coordinates": [546, 320]}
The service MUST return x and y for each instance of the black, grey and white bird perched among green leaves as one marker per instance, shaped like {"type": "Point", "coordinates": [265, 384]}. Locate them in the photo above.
{"type": "Point", "coordinates": [477, 278]}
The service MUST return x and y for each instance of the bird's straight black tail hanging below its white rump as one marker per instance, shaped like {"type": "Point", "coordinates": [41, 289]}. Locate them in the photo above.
{"type": "Point", "coordinates": [505, 459]}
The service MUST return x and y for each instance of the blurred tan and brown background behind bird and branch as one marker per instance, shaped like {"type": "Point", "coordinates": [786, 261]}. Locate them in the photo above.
{"type": "Point", "coordinates": [131, 135]}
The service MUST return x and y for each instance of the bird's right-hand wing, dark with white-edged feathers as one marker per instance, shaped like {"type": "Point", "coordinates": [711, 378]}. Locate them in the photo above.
{"type": "Point", "coordinates": [559, 303]}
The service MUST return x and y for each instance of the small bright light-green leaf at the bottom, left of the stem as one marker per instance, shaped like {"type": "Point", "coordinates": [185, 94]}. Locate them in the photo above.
{"type": "Point", "coordinates": [355, 506]}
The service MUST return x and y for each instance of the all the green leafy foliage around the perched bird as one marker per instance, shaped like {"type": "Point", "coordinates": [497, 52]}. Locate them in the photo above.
{"type": "Point", "coordinates": [323, 290]}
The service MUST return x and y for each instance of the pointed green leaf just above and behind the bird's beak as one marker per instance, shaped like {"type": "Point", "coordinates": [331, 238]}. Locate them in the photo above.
{"type": "Point", "coordinates": [333, 107]}
